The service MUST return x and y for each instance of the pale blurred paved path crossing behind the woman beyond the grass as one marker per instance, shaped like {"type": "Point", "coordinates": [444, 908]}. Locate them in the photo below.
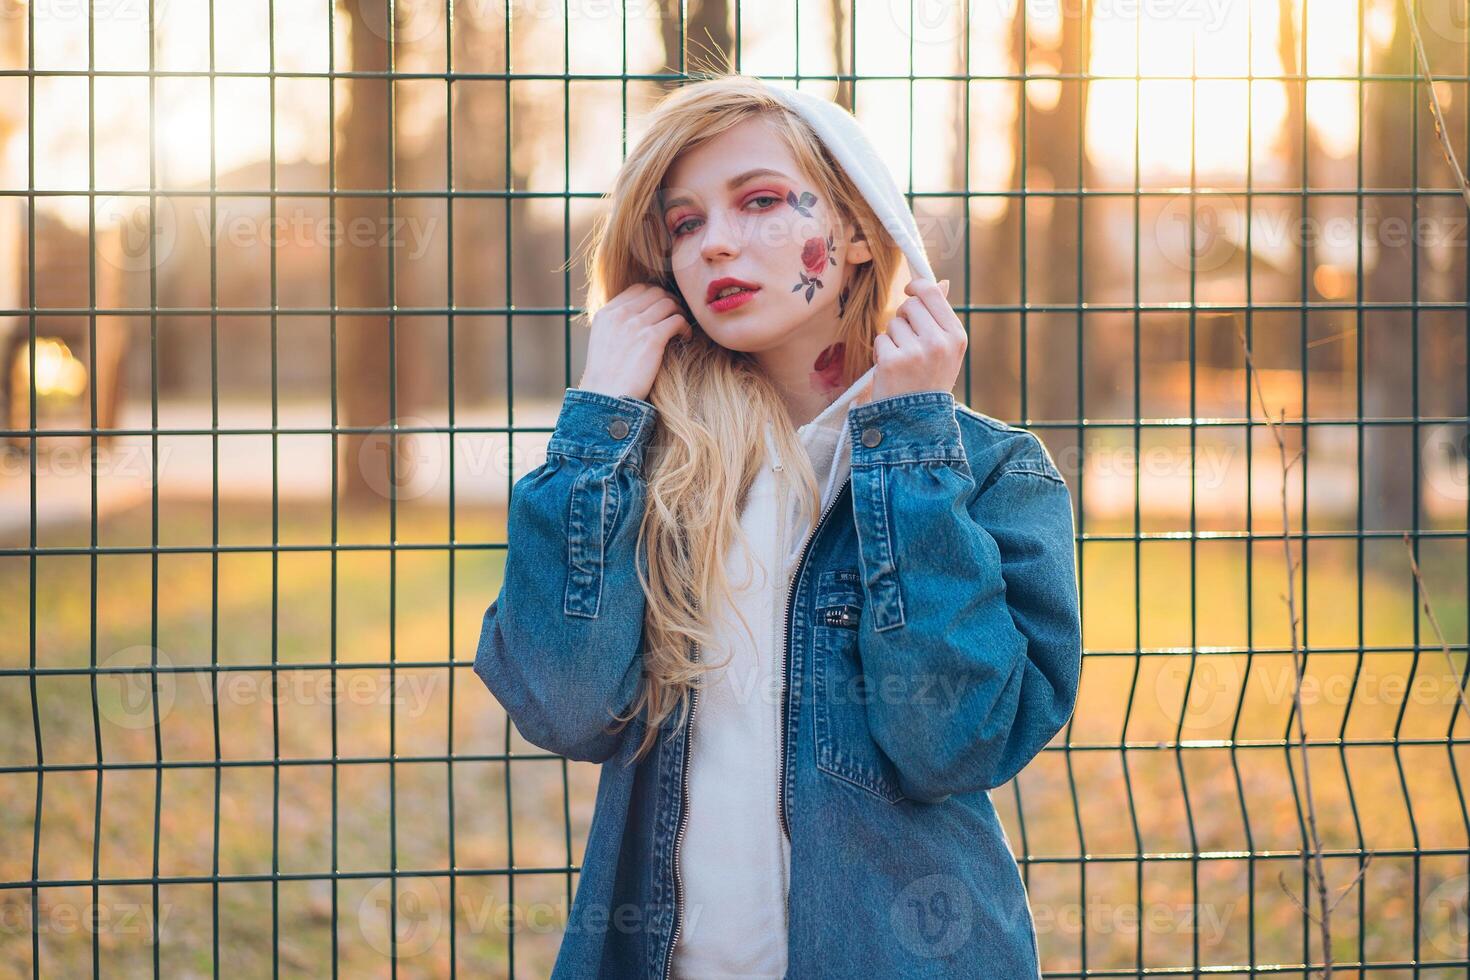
{"type": "Point", "coordinates": [484, 469]}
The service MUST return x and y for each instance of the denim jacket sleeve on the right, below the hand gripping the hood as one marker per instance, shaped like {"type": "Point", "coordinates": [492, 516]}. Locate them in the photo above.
{"type": "Point", "coordinates": [971, 638]}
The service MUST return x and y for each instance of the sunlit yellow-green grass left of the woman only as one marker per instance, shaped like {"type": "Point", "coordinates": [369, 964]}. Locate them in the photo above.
{"type": "Point", "coordinates": [374, 624]}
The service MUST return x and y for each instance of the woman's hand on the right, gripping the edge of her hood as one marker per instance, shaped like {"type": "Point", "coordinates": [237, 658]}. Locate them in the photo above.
{"type": "Point", "coordinates": [924, 347]}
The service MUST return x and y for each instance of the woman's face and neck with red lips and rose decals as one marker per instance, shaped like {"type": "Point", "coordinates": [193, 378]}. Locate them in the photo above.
{"type": "Point", "coordinates": [740, 214]}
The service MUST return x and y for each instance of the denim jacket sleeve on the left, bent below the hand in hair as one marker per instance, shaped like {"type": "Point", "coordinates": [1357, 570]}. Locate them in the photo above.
{"type": "Point", "coordinates": [561, 646]}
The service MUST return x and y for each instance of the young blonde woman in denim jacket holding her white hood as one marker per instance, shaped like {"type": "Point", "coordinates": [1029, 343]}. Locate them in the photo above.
{"type": "Point", "coordinates": [805, 608]}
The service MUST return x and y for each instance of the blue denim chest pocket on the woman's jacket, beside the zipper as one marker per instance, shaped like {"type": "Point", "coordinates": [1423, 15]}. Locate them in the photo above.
{"type": "Point", "coordinates": [846, 749]}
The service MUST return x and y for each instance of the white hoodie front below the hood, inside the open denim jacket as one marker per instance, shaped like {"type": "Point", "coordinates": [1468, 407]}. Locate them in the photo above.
{"type": "Point", "coordinates": [734, 860]}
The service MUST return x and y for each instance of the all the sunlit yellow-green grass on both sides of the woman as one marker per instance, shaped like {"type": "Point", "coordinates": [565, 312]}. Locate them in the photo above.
{"type": "Point", "coordinates": [1106, 803]}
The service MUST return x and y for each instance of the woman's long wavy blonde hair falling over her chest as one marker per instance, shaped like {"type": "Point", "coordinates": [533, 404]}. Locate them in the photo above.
{"type": "Point", "coordinates": [714, 403]}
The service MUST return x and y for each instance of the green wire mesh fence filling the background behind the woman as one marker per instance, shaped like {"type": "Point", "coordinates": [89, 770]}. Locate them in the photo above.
{"type": "Point", "coordinates": [290, 308]}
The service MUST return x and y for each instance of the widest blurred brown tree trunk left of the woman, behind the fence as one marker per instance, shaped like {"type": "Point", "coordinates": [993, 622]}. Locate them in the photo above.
{"type": "Point", "coordinates": [362, 164]}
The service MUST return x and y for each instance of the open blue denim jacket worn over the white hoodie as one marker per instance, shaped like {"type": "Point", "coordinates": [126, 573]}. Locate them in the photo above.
{"type": "Point", "coordinates": [933, 649]}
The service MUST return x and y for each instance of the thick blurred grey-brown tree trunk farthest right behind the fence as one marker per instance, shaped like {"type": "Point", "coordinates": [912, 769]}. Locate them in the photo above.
{"type": "Point", "coordinates": [1387, 478]}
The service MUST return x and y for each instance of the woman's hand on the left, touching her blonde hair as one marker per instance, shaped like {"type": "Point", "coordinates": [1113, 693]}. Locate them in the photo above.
{"type": "Point", "coordinates": [628, 340]}
